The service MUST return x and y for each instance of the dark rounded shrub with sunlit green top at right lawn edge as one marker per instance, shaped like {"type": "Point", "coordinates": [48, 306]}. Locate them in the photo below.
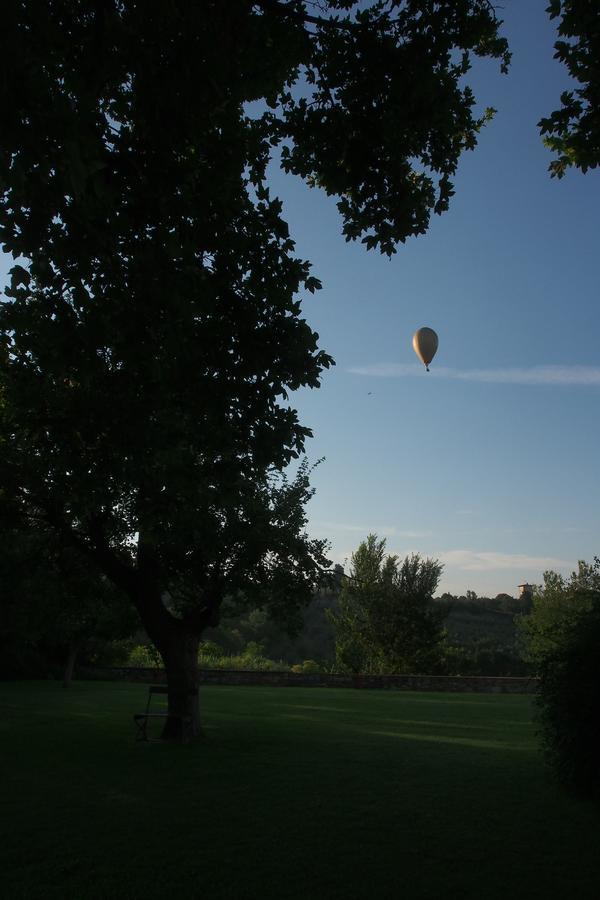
{"type": "Point", "coordinates": [561, 637]}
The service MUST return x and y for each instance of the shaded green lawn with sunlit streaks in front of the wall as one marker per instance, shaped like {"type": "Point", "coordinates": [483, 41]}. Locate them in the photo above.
{"type": "Point", "coordinates": [294, 793]}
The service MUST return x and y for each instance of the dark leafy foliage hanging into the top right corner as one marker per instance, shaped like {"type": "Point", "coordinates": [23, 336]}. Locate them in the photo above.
{"type": "Point", "coordinates": [573, 131]}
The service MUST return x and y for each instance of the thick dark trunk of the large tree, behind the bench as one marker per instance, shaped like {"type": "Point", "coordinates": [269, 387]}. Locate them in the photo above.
{"type": "Point", "coordinates": [180, 655]}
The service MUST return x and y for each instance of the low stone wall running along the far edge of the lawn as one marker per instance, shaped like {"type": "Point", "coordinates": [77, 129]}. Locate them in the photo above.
{"type": "Point", "coordinates": [455, 683]}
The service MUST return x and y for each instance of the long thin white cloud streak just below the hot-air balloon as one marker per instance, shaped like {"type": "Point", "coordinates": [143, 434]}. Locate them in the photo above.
{"type": "Point", "coordinates": [535, 375]}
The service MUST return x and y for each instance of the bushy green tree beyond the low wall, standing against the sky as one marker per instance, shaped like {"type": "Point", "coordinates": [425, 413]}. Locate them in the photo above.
{"type": "Point", "coordinates": [386, 619]}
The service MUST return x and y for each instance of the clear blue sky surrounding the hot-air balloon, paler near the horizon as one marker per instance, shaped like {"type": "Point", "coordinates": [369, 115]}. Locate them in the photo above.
{"type": "Point", "coordinates": [489, 462]}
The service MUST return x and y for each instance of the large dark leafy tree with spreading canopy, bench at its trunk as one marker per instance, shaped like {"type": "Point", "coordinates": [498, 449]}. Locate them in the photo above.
{"type": "Point", "coordinates": [152, 328]}
